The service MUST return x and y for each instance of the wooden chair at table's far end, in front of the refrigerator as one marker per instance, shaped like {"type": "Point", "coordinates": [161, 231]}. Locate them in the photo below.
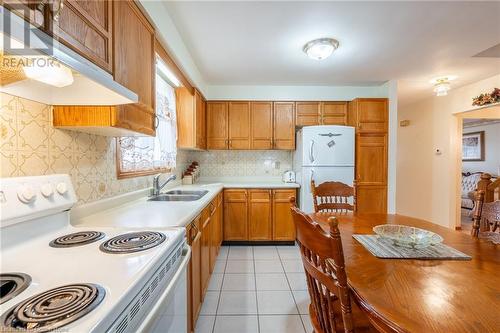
{"type": "Point", "coordinates": [333, 197]}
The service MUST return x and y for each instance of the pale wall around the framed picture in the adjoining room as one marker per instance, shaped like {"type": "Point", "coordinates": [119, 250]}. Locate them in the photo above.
{"type": "Point", "coordinates": [491, 164]}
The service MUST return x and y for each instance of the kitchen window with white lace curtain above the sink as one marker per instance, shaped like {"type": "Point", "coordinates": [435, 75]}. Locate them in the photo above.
{"type": "Point", "coordinates": [140, 156]}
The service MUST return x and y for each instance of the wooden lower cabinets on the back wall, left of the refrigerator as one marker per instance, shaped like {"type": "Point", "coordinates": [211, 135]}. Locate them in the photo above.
{"type": "Point", "coordinates": [258, 215]}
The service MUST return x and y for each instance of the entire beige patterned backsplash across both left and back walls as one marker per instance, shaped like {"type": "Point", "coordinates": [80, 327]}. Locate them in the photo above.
{"type": "Point", "coordinates": [30, 146]}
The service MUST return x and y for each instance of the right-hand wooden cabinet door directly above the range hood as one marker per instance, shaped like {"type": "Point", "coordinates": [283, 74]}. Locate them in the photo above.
{"type": "Point", "coordinates": [86, 27]}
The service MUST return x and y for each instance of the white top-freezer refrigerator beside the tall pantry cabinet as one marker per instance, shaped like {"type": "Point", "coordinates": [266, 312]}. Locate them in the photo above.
{"type": "Point", "coordinates": [324, 153]}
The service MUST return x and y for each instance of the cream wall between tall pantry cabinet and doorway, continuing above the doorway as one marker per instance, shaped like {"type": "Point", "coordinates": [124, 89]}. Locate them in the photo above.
{"type": "Point", "coordinates": [427, 185]}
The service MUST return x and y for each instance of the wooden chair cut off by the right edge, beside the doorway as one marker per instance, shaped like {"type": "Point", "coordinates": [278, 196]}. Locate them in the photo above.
{"type": "Point", "coordinates": [486, 218]}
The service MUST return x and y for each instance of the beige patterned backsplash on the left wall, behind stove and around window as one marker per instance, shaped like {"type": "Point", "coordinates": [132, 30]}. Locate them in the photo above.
{"type": "Point", "coordinates": [29, 145]}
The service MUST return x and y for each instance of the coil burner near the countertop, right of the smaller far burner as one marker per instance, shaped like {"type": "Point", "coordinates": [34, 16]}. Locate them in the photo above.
{"type": "Point", "coordinates": [133, 242]}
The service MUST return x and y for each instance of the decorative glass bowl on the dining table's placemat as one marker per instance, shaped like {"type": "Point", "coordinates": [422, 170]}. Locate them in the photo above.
{"type": "Point", "coordinates": [403, 235]}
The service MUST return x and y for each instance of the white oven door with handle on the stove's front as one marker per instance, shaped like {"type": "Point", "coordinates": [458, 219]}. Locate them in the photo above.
{"type": "Point", "coordinates": [169, 314]}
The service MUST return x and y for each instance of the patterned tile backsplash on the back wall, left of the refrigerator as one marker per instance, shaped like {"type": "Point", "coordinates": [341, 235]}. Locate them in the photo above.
{"type": "Point", "coordinates": [227, 163]}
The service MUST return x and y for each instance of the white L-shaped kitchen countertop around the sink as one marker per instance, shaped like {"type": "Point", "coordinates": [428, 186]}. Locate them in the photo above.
{"type": "Point", "coordinates": [139, 213]}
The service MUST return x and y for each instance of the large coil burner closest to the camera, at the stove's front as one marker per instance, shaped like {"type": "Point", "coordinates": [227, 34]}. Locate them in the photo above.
{"type": "Point", "coordinates": [53, 308]}
